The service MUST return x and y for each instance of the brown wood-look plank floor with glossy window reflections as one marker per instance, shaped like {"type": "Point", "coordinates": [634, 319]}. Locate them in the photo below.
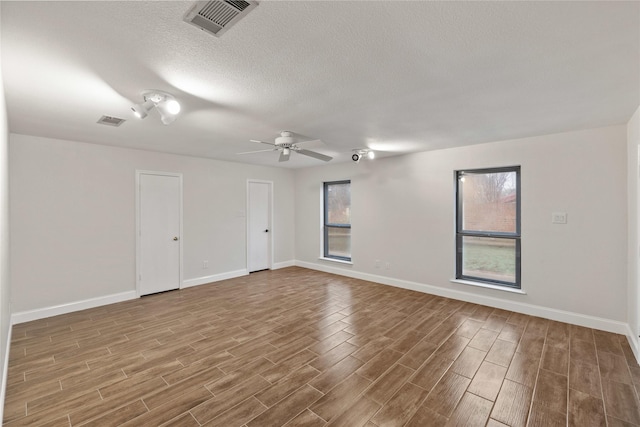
{"type": "Point", "coordinates": [296, 347]}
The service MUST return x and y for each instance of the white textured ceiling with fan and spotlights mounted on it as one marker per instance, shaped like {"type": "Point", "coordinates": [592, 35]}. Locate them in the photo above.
{"type": "Point", "coordinates": [393, 76]}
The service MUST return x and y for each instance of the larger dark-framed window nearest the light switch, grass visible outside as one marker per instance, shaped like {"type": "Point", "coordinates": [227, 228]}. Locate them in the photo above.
{"type": "Point", "coordinates": [488, 226]}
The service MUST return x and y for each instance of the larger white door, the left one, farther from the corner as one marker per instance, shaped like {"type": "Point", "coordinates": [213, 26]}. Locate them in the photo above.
{"type": "Point", "coordinates": [159, 228]}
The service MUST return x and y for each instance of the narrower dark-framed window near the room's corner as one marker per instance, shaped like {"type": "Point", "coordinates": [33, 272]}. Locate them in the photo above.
{"type": "Point", "coordinates": [337, 220]}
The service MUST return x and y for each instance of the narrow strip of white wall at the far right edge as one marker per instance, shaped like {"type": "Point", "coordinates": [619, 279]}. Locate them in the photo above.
{"type": "Point", "coordinates": [633, 174]}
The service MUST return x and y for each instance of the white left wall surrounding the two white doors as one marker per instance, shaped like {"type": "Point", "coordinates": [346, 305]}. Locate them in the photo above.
{"type": "Point", "coordinates": [73, 218]}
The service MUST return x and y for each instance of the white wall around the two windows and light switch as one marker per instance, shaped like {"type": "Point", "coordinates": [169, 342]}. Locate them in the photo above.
{"type": "Point", "coordinates": [403, 213]}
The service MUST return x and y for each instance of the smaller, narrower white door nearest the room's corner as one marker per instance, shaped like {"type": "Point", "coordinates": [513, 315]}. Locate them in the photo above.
{"type": "Point", "coordinates": [259, 226]}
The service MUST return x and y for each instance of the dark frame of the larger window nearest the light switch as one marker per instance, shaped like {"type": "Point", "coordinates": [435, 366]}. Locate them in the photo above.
{"type": "Point", "coordinates": [460, 232]}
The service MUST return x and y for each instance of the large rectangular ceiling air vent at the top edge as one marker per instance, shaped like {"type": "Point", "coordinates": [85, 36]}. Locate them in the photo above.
{"type": "Point", "coordinates": [217, 16]}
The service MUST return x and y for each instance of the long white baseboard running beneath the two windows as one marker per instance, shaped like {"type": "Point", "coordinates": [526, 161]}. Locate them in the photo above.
{"type": "Point", "coordinates": [529, 309]}
